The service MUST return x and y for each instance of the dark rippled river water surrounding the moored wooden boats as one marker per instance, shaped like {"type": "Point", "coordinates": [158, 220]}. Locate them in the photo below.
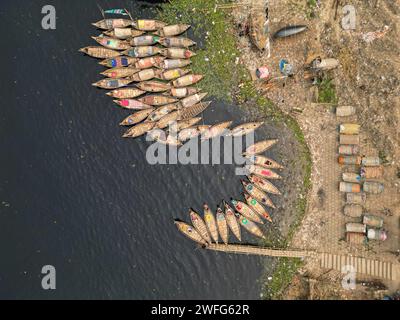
{"type": "Point", "coordinates": [75, 195]}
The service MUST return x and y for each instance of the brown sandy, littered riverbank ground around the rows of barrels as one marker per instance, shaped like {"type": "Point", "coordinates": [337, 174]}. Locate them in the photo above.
{"type": "Point", "coordinates": [367, 78]}
